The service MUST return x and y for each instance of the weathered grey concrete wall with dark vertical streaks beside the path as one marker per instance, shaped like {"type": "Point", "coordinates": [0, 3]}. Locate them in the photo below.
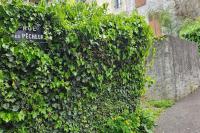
{"type": "Point", "coordinates": [176, 69]}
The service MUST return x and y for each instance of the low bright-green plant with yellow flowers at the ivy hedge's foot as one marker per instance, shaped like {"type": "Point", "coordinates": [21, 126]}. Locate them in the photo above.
{"type": "Point", "coordinates": [141, 121]}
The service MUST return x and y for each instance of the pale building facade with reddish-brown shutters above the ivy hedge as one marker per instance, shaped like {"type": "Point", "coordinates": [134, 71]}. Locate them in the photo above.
{"type": "Point", "coordinates": [144, 7]}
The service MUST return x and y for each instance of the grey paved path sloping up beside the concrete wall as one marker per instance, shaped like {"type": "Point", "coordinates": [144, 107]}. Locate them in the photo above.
{"type": "Point", "coordinates": [183, 117]}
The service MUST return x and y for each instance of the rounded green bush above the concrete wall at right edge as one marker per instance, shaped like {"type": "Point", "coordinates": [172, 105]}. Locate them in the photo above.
{"type": "Point", "coordinates": [191, 31]}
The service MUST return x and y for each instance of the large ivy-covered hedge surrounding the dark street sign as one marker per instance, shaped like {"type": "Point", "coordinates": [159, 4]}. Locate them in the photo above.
{"type": "Point", "coordinates": [90, 73]}
